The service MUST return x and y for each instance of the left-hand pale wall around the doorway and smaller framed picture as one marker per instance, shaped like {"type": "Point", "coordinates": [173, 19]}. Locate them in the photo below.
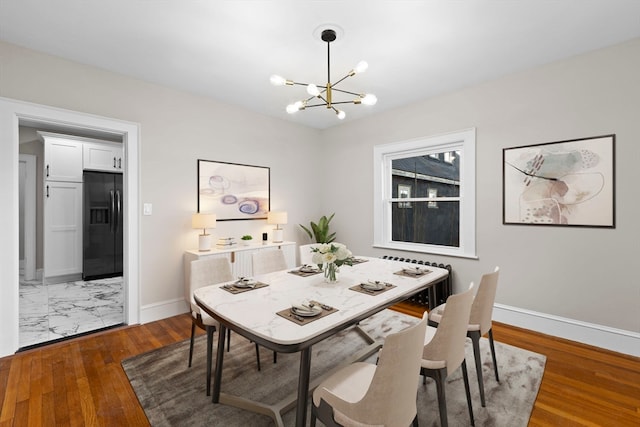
{"type": "Point", "coordinates": [177, 128]}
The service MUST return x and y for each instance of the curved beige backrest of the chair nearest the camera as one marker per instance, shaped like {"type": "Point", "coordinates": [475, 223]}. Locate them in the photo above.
{"type": "Point", "coordinates": [391, 397]}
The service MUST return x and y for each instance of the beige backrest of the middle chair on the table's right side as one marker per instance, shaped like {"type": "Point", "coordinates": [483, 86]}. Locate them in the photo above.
{"type": "Point", "coordinates": [449, 340]}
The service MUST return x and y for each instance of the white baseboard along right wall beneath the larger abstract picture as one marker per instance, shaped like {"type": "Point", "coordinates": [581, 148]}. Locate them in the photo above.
{"type": "Point", "coordinates": [613, 339]}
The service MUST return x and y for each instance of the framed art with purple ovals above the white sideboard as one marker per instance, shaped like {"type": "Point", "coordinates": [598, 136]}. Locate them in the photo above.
{"type": "Point", "coordinates": [233, 191]}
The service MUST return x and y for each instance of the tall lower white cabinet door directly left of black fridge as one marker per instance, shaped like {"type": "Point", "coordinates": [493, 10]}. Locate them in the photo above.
{"type": "Point", "coordinates": [62, 228]}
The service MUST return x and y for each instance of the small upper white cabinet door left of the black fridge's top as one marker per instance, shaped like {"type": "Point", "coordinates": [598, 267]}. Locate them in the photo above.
{"type": "Point", "coordinates": [63, 160]}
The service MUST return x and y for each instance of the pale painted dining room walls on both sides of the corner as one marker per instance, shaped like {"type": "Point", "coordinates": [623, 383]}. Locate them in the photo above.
{"type": "Point", "coordinates": [574, 273]}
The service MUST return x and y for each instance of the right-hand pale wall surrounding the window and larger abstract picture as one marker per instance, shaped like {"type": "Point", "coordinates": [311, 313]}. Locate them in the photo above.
{"type": "Point", "coordinates": [585, 274]}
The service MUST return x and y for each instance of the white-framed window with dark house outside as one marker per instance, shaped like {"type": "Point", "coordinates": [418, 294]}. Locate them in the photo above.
{"type": "Point", "coordinates": [435, 178]}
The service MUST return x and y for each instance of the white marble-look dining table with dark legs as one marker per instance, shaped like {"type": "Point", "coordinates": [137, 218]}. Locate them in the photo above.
{"type": "Point", "coordinates": [253, 314]}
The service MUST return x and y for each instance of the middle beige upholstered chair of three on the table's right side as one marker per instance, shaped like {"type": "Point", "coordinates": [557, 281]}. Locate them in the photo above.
{"type": "Point", "coordinates": [444, 351]}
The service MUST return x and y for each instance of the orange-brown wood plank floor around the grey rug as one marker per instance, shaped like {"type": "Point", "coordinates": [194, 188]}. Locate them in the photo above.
{"type": "Point", "coordinates": [80, 382]}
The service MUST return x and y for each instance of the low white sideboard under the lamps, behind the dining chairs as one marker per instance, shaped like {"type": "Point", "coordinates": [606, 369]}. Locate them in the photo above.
{"type": "Point", "coordinates": [240, 257]}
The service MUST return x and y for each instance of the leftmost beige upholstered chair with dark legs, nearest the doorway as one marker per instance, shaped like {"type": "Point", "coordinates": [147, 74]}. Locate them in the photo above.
{"type": "Point", "coordinates": [204, 272]}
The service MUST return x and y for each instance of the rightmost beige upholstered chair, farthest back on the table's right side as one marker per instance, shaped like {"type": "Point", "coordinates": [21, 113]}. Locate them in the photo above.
{"type": "Point", "coordinates": [479, 322]}
